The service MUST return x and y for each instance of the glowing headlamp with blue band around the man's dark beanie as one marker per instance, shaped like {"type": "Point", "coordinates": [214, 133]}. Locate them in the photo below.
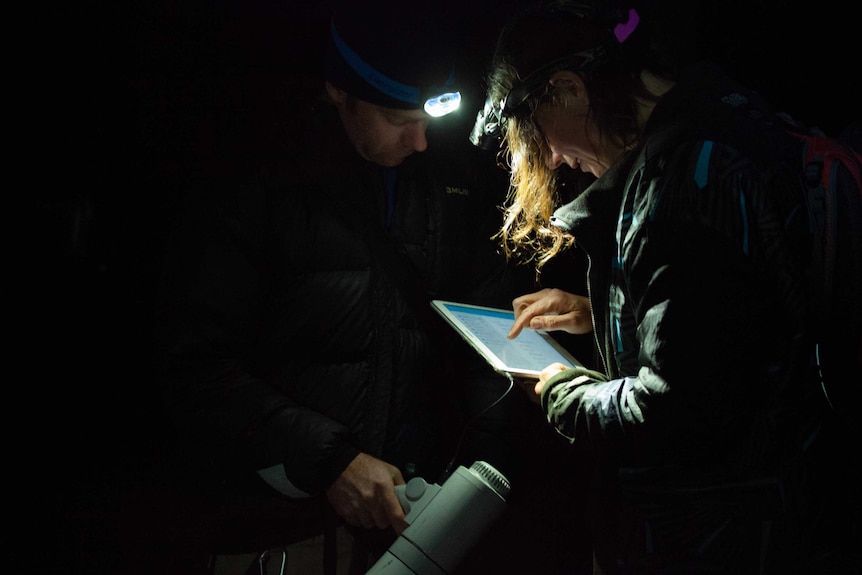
{"type": "Point", "coordinates": [441, 103]}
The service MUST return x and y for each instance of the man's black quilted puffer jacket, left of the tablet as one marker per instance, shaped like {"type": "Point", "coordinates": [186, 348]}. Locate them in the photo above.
{"type": "Point", "coordinates": [295, 319]}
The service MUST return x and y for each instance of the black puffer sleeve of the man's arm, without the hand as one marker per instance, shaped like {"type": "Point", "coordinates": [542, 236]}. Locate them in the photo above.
{"type": "Point", "coordinates": [209, 312]}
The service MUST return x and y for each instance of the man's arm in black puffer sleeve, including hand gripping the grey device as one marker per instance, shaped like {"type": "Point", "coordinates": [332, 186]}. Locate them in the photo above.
{"type": "Point", "coordinates": [234, 413]}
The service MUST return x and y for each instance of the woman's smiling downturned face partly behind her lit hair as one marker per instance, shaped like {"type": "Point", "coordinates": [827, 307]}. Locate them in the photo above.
{"type": "Point", "coordinates": [567, 133]}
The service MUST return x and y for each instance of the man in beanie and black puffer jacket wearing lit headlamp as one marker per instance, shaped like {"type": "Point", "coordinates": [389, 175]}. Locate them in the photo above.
{"type": "Point", "coordinates": [299, 357]}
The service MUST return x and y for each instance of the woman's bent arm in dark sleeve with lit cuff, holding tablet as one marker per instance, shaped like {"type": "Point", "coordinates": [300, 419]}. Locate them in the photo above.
{"type": "Point", "coordinates": [700, 329]}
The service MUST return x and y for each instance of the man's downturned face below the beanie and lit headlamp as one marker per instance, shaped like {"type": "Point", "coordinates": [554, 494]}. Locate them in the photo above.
{"type": "Point", "coordinates": [384, 136]}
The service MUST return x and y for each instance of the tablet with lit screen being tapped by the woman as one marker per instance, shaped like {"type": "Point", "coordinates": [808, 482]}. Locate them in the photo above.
{"type": "Point", "coordinates": [485, 328]}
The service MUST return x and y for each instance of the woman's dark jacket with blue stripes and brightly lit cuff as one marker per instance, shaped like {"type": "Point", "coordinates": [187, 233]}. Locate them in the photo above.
{"type": "Point", "coordinates": [707, 420]}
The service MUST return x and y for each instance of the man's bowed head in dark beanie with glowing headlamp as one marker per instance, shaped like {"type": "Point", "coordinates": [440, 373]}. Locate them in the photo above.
{"type": "Point", "coordinates": [389, 74]}
